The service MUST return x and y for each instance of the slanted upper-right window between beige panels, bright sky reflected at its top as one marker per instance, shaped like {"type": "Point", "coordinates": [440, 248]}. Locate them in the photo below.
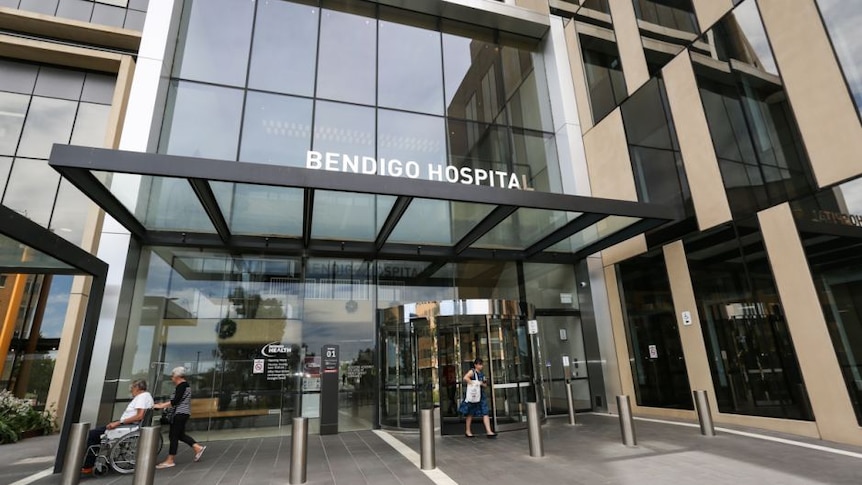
{"type": "Point", "coordinates": [754, 133]}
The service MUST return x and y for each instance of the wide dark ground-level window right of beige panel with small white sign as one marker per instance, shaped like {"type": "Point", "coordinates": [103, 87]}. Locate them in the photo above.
{"type": "Point", "coordinates": [751, 354]}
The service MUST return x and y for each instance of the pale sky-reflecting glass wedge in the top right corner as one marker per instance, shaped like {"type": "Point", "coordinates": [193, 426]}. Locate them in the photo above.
{"type": "Point", "coordinates": [843, 19]}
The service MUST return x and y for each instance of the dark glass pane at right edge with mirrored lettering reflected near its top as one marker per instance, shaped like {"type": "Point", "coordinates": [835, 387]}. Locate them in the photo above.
{"type": "Point", "coordinates": [830, 227]}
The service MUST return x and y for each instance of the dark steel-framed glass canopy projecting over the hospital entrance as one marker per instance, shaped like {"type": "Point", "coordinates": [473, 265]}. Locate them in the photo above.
{"type": "Point", "coordinates": [174, 200]}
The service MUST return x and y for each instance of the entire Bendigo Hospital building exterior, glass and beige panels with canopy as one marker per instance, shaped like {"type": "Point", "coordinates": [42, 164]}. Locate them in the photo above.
{"type": "Point", "coordinates": [671, 157]}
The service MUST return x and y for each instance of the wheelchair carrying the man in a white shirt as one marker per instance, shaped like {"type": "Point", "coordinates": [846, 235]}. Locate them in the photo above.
{"type": "Point", "coordinates": [119, 446]}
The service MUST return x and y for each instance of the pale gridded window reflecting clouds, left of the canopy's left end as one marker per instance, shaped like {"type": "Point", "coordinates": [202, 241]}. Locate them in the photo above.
{"type": "Point", "coordinates": [40, 106]}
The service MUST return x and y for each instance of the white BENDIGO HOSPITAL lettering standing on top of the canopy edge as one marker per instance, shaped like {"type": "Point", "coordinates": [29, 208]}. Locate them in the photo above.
{"type": "Point", "coordinates": [342, 162]}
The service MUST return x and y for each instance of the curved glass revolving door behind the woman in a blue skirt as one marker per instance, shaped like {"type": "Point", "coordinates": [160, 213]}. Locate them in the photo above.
{"type": "Point", "coordinates": [426, 348]}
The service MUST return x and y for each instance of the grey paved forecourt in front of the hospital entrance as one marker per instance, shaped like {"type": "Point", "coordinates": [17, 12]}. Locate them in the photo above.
{"type": "Point", "coordinates": [590, 453]}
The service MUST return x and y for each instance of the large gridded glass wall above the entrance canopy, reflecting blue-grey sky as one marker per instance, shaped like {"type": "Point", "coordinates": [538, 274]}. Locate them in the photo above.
{"type": "Point", "coordinates": [268, 81]}
